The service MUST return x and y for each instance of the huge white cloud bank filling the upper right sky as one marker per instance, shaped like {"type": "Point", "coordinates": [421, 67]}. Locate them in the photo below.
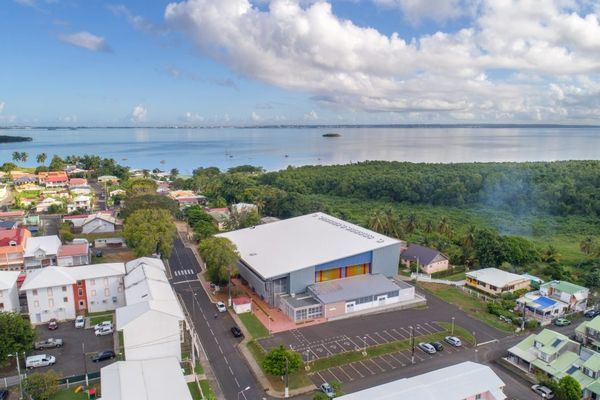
{"type": "Point", "coordinates": [467, 74]}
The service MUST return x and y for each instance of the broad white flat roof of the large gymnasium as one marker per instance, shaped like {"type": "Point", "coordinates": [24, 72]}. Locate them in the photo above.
{"type": "Point", "coordinates": [289, 245]}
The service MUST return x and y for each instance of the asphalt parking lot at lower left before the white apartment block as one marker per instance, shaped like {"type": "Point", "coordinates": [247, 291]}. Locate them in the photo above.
{"type": "Point", "coordinates": [70, 358]}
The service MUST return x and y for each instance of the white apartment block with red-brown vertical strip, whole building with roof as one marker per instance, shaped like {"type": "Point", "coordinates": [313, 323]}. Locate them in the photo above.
{"type": "Point", "coordinates": [64, 292]}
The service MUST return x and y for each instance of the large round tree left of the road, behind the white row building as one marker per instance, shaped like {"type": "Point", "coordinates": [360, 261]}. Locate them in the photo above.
{"type": "Point", "coordinates": [149, 230]}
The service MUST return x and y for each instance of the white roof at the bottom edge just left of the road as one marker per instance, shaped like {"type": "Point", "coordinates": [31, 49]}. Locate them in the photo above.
{"type": "Point", "coordinates": [155, 379]}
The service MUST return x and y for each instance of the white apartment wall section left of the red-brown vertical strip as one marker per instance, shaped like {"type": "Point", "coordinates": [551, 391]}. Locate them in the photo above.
{"type": "Point", "coordinates": [49, 303]}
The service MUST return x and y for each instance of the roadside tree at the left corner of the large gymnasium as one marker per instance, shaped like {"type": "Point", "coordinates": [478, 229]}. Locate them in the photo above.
{"type": "Point", "coordinates": [220, 256]}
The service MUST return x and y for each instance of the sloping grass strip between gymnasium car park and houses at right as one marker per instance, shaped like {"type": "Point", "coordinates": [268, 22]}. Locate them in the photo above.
{"type": "Point", "coordinates": [468, 303]}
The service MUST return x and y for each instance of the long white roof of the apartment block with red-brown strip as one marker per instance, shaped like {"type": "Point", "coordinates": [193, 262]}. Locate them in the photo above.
{"type": "Point", "coordinates": [59, 276]}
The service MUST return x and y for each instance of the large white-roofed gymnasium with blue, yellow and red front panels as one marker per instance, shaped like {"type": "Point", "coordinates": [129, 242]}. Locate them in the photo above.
{"type": "Point", "coordinates": [310, 256]}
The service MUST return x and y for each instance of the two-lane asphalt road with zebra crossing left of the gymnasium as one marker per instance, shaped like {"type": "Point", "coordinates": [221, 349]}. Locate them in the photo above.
{"type": "Point", "coordinates": [219, 344]}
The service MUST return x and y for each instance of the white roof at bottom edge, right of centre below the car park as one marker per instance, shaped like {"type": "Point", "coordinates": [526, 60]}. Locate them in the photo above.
{"type": "Point", "coordinates": [456, 382]}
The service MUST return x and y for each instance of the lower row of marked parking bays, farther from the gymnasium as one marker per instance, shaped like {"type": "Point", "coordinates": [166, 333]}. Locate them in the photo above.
{"type": "Point", "coordinates": [370, 367]}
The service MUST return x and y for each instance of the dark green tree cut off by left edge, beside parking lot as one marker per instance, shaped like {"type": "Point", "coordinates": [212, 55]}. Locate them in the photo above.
{"type": "Point", "coordinates": [16, 335]}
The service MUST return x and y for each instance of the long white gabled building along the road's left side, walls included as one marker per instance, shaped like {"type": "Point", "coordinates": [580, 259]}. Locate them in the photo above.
{"type": "Point", "coordinates": [152, 321]}
